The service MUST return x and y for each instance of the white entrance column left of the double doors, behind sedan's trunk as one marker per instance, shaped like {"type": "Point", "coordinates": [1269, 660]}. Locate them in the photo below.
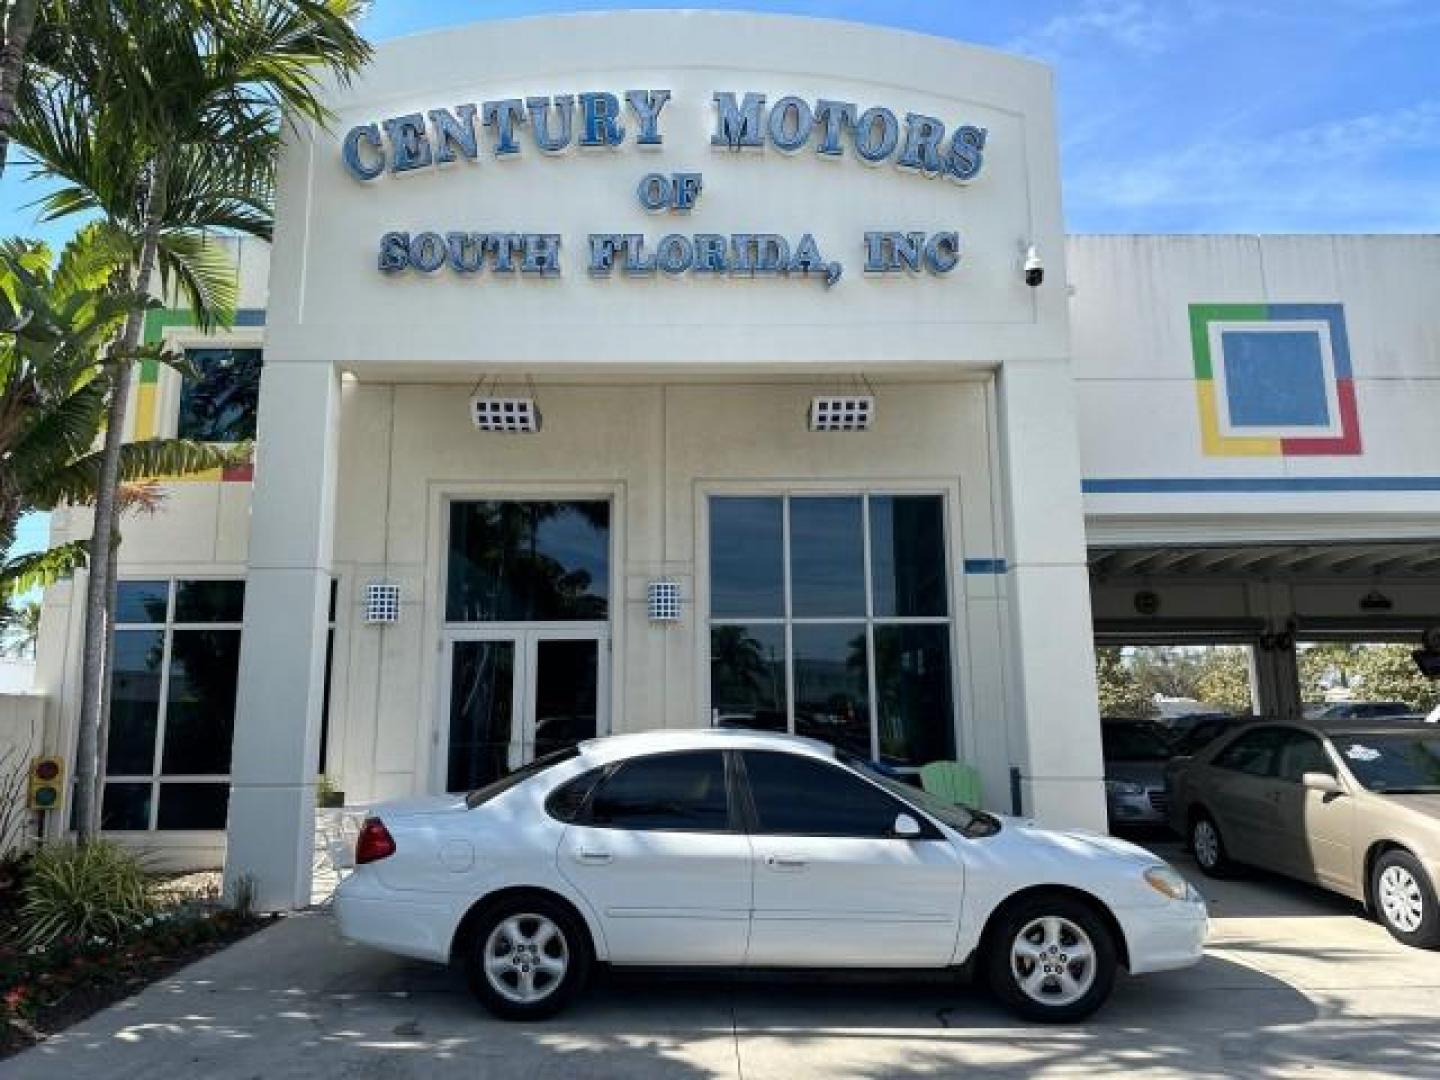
{"type": "Point", "coordinates": [283, 650]}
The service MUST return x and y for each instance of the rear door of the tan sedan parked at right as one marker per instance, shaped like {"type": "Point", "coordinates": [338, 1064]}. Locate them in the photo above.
{"type": "Point", "coordinates": [1239, 790]}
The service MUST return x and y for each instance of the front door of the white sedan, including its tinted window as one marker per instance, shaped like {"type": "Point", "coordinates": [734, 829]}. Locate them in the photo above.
{"type": "Point", "coordinates": [834, 886]}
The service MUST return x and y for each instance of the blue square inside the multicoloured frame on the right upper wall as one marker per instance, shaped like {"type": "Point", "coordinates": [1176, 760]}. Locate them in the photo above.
{"type": "Point", "coordinates": [1275, 379]}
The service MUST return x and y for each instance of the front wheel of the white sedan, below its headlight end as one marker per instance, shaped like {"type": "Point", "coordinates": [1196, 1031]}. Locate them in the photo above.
{"type": "Point", "coordinates": [1009, 973]}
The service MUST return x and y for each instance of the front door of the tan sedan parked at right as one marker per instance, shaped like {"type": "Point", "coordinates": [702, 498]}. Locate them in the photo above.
{"type": "Point", "coordinates": [1315, 829]}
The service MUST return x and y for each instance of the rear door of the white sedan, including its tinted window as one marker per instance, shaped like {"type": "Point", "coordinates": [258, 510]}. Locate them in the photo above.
{"type": "Point", "coordinates": [662, 859]}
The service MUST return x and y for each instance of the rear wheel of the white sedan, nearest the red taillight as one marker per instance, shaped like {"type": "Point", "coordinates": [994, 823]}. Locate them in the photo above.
{"type": "Point", "coordinates": [529, 963]}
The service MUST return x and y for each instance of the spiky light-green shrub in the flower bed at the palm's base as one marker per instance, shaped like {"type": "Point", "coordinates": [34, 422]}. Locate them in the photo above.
{"type": "Point", "coordinates": [93, 891]}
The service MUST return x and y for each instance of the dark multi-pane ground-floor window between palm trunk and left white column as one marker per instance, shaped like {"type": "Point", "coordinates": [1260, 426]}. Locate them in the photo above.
{"type": "Point", "coordinates": [172, 705]}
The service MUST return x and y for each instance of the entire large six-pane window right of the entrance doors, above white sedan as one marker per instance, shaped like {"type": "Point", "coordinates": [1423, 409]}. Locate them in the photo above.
{"type": "Point", "coordinates": [836, 647]}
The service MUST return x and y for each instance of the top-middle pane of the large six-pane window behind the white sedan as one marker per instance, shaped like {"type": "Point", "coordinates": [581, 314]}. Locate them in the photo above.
{"type": "Point", "coordinates": [827, 558]}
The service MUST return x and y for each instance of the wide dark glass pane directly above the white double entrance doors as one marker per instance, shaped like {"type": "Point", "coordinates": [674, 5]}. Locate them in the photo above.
{"type": "Point", "coordinates": [513, 562]}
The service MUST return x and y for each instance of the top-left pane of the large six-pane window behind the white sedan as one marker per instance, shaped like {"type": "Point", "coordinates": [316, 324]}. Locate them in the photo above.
{"type": "Point", "coordinates": [747, 558]}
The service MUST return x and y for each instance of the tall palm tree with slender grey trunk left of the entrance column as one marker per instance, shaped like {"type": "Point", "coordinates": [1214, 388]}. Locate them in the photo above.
{"type": "Point", "coordinates": [166, 117]}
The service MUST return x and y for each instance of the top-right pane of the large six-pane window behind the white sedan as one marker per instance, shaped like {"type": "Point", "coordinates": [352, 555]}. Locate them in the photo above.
{"type": "Point", "coordinates": [908, 555]}
